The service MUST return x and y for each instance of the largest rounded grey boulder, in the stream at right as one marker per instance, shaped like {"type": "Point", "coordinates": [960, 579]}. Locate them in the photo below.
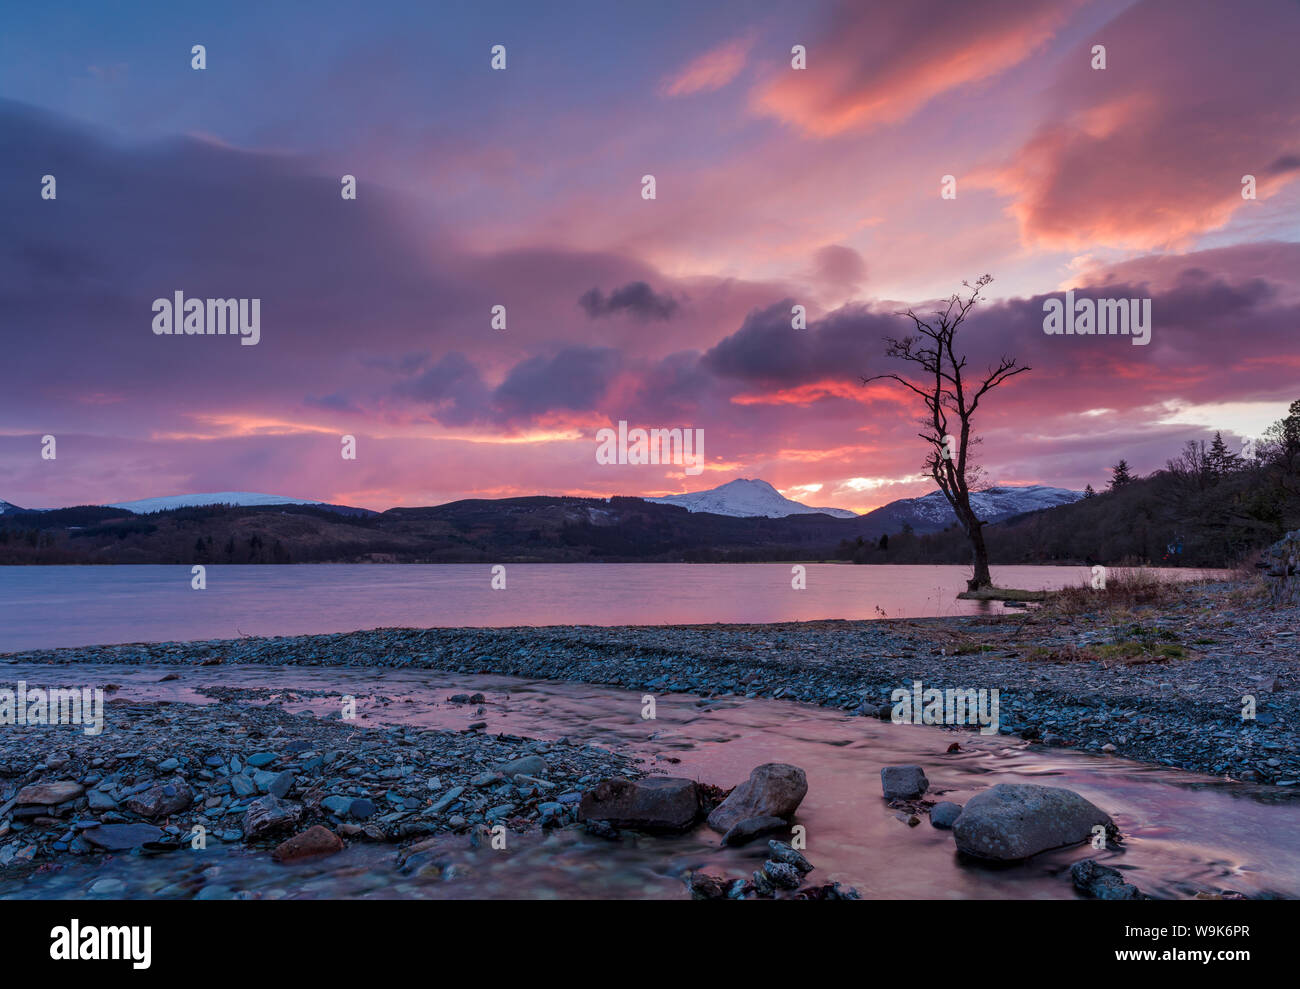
{"type": "Point", "coordinates": [1013, 822]}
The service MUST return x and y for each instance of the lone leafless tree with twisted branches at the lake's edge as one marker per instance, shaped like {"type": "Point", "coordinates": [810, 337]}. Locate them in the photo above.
{"type": "Point", "coordinates": [951, 400]}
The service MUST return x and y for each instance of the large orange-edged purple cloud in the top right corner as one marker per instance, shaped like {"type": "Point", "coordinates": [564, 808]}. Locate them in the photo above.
{"type": "Point", "coordinates": [1152, 150]}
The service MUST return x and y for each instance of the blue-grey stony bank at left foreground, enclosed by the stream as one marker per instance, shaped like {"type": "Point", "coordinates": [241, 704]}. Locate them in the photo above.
{"type": "Point", "coordinates": [179, 777]}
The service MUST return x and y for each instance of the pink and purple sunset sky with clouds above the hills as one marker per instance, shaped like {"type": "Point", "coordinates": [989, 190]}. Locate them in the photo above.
{"type": "Point", "coordinates": [774, 186]}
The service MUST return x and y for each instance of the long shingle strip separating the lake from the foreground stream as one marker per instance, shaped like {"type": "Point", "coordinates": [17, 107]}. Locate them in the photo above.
{"type": "Point", "coordinates": [1167, 686]}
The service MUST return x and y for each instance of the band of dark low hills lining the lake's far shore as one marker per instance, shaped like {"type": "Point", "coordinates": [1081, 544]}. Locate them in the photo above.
{"type": "Point", "coordinates": [1207, 522]}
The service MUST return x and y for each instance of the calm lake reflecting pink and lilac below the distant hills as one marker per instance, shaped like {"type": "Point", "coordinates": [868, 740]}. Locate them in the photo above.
{"type": "Point", "coordinates": [46, 608]}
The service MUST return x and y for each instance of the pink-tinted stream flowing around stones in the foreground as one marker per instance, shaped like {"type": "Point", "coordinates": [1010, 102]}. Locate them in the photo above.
{"type": "Point", "coordinates": [1185, 834]}
